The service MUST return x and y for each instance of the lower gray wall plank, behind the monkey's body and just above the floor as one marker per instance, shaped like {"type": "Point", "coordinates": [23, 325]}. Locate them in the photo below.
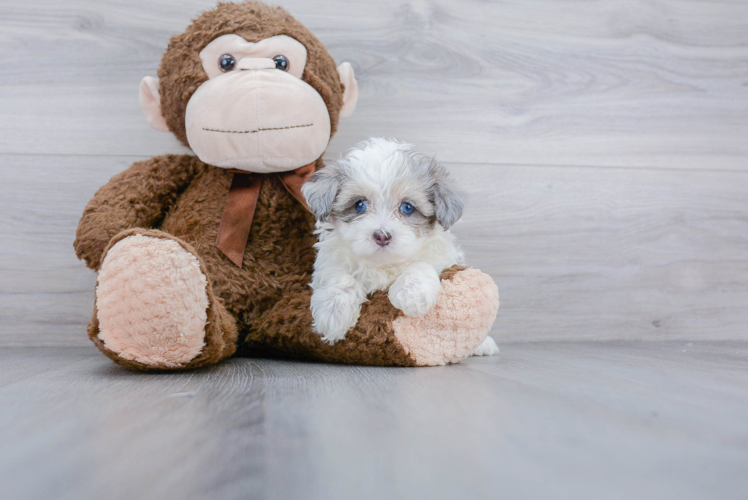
{"type": "Point", "coordinates": [578, 253]}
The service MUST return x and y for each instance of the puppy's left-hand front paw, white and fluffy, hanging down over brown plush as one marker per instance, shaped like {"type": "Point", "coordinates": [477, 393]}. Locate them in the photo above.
{"type": "Point", "coordinates": [335, 312]}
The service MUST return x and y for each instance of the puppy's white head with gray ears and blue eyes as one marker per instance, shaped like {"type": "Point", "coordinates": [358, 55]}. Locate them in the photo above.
{"type": "Point", "coordinates": [383, 199]}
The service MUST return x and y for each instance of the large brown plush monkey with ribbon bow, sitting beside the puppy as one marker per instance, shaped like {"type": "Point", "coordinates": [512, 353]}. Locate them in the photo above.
{"type": "Point", "coordinates": [201, 257]}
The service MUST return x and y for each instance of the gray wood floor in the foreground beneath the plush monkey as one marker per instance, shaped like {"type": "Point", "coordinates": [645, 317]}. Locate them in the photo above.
{"type": "Point", "coordinates": [561, 420]}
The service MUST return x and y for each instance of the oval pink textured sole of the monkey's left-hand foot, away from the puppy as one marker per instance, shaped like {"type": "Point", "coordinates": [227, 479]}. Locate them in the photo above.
{"type": "Point", "coordinates": [152, 301]}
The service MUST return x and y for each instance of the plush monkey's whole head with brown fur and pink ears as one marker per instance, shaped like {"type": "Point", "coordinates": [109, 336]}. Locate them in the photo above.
{"type": "Point", "coordinates": [247, 87]}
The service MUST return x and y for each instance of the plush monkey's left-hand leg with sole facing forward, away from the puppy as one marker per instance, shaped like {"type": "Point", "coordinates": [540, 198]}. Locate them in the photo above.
{"type": "Point", "coordinates": [155, 307]}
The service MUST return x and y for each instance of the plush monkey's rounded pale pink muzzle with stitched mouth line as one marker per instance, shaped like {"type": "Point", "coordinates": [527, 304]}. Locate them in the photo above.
{"type": "Point", "coordinates": [257, 120]}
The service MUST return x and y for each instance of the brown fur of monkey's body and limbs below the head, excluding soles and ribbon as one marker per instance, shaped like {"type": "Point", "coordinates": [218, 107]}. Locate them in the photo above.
{"type": "Point", "coordinates": [267, 299]}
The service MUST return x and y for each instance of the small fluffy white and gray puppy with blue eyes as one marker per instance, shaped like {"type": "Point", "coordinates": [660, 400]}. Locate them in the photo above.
{"type": "Point", "coordinates": [383, 217]}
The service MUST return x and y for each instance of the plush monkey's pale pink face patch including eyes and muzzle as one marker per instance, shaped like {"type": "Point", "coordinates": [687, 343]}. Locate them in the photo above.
{"type": "Point", "coordinates": [255, 112]}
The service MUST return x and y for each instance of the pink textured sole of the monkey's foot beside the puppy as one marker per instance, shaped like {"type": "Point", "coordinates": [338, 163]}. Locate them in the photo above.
{"type": "Point", "coordinates": [457, 325]}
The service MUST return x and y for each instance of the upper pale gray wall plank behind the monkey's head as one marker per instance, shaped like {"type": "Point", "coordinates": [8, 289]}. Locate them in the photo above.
{"type": "Point", "coordinates": [644, 83]}
